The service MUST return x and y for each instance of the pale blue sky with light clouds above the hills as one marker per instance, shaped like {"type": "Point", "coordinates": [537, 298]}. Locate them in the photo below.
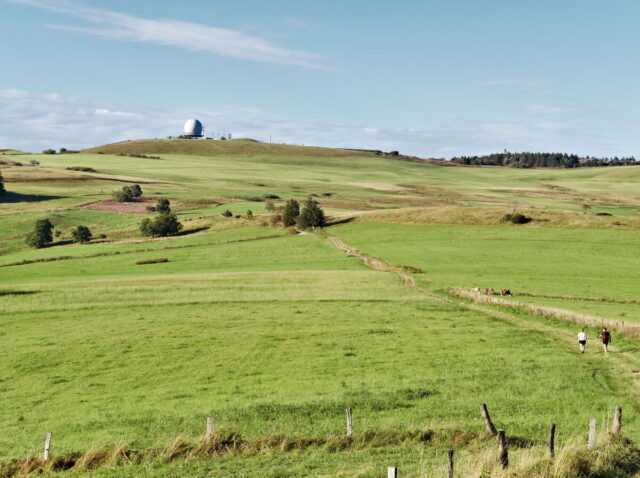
{"type": "Point", "coordinates": [430, 78]}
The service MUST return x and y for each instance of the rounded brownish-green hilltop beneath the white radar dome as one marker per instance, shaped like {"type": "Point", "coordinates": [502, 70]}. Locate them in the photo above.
{"type": "Point", "coordinates": [217, 147]}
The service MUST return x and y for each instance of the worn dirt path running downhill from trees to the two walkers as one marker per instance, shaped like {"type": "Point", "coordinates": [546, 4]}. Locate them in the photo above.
{"type": "Point", "coordinates": [627, 363]}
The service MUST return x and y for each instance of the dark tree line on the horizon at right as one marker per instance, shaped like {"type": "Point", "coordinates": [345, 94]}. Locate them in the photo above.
{"type": "Point", "coordinates": [542, 160]}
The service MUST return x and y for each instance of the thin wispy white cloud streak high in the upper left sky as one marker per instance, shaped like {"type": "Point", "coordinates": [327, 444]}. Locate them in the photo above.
{"type": "Point", "coordinates": [185, 35]}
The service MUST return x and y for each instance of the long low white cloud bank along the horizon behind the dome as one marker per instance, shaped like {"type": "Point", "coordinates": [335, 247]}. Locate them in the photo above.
{"type": "Point", "coordinates": [36, 121]}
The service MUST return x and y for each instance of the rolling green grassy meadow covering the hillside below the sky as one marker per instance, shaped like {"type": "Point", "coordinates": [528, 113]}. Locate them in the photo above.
{"type": "Point", "coordinates": [273, 333]}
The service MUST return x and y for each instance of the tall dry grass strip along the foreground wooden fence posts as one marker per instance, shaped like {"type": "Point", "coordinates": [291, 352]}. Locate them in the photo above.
{"type": "Point", "coordinates": [612, 455]}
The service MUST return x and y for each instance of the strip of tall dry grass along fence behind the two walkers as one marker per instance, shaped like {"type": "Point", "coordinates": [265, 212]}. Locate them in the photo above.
{"type": "Point", "coordinates": [630, 330]}
